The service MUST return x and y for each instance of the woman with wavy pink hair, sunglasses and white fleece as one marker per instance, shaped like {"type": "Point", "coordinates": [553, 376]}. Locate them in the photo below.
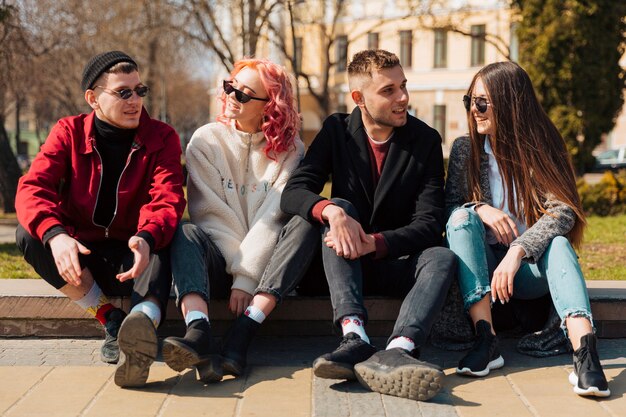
{"type": "Point", "coordinates": [237, 168]}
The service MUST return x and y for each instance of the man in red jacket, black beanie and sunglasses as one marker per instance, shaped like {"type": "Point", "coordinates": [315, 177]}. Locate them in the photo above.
{"type": "Point", "coordinates": [98, 209]}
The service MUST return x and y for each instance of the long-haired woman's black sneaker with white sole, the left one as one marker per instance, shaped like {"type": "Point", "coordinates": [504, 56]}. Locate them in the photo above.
{"type": "Point", "coordinates": [484, 355]}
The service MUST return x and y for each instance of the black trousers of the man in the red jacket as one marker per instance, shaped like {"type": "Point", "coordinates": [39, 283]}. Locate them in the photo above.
{"type": "Point", "coordinates": [107, 259]}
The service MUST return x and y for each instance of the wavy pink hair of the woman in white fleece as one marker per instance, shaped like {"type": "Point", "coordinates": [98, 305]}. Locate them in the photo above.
{"type": "Point", "coordinates": [281, 121]}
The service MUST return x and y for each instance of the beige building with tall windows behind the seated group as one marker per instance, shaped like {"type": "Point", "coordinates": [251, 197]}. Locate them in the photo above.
{"type": "Point", "coordinates": [438, 64]}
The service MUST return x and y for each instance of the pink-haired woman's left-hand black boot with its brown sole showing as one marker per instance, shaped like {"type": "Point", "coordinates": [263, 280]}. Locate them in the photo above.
{"type": "Point", "coordinates": [197, 349]}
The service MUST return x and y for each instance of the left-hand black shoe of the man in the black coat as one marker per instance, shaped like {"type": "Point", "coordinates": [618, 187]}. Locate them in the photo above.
{"type": "Point", "coordinates": [339, 364]}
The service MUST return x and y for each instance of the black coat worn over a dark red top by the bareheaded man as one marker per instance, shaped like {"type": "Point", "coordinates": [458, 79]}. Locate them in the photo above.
{"type": "Point", "coordinates": [407, 206]}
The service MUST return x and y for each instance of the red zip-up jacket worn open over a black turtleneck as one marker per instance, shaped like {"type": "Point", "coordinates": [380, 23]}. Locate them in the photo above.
{"type": "Point", "coordinates": [61, 188]}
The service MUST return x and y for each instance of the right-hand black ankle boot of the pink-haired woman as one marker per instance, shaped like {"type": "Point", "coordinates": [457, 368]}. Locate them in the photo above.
{"type": "Point", "coordinates": [236, 345]}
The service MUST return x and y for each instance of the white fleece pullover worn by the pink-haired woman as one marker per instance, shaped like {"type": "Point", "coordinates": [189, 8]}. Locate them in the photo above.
{"type": "Point", "coordinates": [233, 191]}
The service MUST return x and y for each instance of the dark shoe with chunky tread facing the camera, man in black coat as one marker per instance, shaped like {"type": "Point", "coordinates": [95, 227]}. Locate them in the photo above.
{"type": "Point", "coordinates": [395, 372]}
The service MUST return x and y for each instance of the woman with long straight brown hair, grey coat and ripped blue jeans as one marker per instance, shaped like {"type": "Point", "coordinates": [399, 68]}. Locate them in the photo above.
{"type": "Point", "coordinates": [515, 218]}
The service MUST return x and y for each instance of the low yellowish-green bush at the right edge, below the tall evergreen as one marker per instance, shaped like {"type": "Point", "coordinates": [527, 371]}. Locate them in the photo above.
{"type": "Point", "coordinates": [606, 198]}
